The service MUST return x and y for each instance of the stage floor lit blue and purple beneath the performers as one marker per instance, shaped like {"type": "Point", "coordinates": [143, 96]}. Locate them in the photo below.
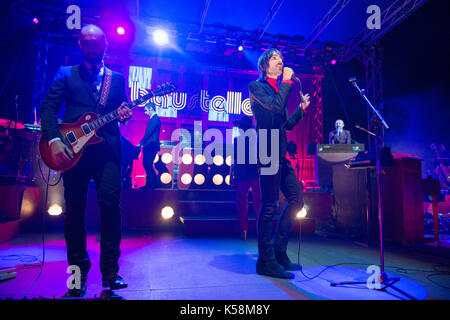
{"type": "Point", "coordinates": [172, 267]}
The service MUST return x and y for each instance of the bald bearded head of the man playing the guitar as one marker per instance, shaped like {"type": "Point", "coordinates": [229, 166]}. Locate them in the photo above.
{"type": "Point", "coordinates": [93, 44]}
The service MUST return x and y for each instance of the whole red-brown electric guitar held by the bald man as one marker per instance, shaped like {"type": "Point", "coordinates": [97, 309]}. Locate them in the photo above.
{"type": "Point", "coordinates": [82, 133]}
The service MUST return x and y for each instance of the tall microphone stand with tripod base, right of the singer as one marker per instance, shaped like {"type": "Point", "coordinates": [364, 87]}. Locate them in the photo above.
{"type": "Point", "coordinates": [377, 121]}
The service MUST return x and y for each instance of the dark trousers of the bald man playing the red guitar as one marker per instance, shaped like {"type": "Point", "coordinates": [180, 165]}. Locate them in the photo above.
{"type": "Point", "coordinates": [97, 163]}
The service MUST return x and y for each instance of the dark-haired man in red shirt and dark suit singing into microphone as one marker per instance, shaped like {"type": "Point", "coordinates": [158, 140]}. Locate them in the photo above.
{"type": "Point", "coordinates": [268, 97]}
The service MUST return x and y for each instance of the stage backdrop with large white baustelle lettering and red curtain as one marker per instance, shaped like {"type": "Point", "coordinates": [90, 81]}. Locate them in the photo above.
{"type": "Point", "coordinates": [216, 97]}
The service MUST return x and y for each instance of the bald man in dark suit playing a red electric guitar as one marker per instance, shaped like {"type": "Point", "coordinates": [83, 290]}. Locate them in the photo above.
{"type": "Point", "coordinates": [80, 88]}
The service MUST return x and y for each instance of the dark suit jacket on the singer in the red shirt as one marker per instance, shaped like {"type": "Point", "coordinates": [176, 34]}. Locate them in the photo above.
{"type": "Point", "coordinates": [270, 110]}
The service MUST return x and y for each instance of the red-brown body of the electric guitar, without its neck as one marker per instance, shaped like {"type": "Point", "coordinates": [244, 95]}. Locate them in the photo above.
{"type": "Point", "coordinates": [77, 136]}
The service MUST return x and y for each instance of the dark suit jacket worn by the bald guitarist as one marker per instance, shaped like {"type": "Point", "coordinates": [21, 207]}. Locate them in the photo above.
{"type": "Point", "coordinates": [72, 86]}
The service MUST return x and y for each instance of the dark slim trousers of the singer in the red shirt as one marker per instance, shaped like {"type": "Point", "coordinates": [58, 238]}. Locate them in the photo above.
{"type": "Point", "coordinates": [286, 181]}
